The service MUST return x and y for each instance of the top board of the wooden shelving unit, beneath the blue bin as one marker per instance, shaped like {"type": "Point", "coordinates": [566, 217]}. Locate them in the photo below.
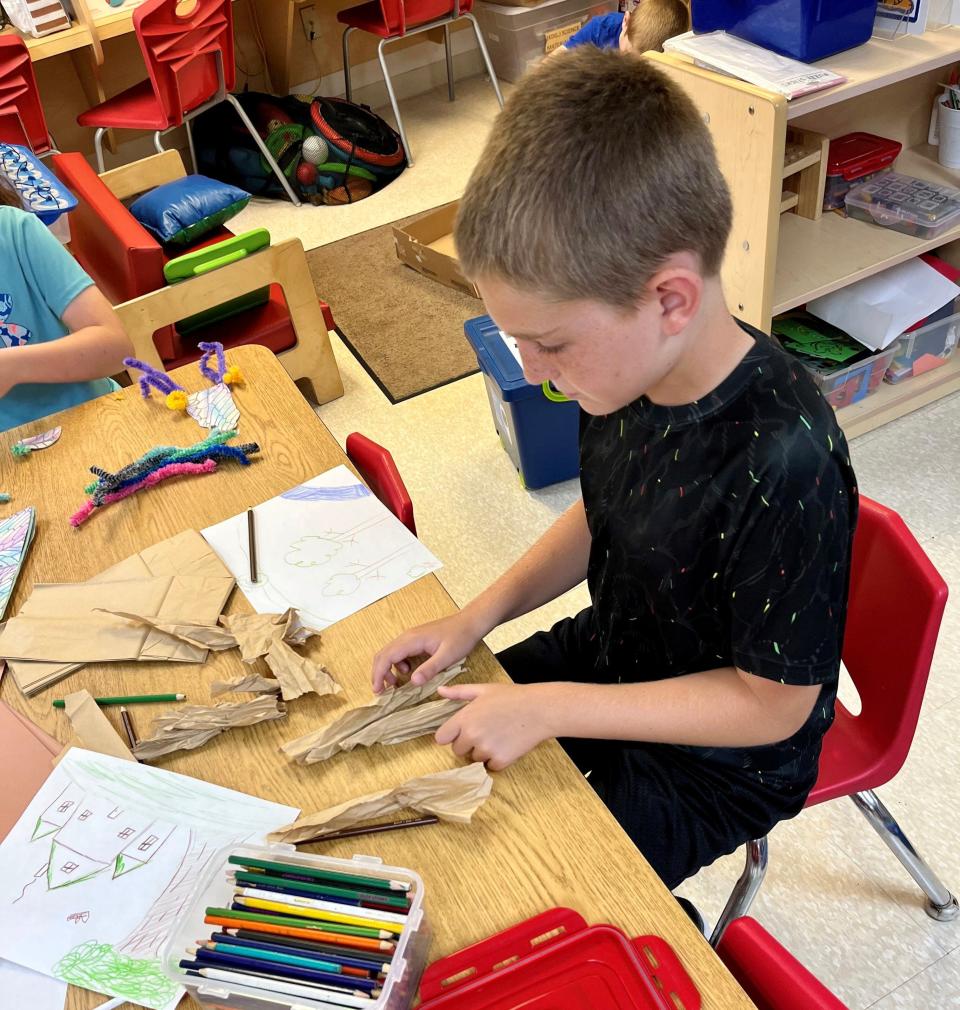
{"type": "Point", "coordinates": [881, 63]}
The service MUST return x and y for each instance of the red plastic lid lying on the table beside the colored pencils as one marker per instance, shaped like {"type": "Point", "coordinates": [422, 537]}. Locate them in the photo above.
{"type": "Point", "coordinates": [556, 962]}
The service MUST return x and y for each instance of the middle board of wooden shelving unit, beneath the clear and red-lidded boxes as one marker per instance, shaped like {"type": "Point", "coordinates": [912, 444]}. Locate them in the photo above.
{"type": "Point", "coordinates": [816, 258]}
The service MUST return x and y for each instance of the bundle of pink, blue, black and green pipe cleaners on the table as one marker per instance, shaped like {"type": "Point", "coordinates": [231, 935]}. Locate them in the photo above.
{"type": "Point", "coordinates": [157, 465]}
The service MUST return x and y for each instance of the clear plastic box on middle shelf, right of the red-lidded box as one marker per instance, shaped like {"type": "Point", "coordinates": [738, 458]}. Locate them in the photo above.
{"type": "Point", "coordinates": [905, 204]}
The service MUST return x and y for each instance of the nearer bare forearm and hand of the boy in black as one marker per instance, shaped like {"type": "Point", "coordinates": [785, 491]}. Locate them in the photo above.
{"type": "Point", "coordinates": [722, 709]}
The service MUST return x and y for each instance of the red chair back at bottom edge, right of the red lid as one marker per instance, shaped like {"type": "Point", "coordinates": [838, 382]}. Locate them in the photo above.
{"type": "Point", "coordinates": [769, 973]}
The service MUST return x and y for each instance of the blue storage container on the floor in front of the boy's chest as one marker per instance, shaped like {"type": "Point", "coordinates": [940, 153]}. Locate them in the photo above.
{"type": "Point", "coordinates": [539, 430]}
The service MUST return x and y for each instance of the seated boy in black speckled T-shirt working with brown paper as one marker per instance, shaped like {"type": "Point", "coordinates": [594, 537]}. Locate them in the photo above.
{"type": "Point", "coordinates": [718, 499]}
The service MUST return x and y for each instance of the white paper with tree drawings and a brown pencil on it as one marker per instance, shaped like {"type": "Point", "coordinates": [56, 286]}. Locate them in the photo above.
{"type": "Point", "coordinates": [327, 548]}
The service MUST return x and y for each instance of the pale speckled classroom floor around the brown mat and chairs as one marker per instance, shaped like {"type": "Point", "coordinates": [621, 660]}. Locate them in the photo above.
{"type": "Point", "coordinates": [834, 894]}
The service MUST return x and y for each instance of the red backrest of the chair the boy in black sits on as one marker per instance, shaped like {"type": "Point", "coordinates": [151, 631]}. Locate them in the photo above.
{"type": "Point", "coordinates": [897, 603]}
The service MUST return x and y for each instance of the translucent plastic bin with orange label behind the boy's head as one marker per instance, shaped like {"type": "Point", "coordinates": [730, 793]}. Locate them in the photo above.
{"type": "Point", "coordinates": [517, 37]}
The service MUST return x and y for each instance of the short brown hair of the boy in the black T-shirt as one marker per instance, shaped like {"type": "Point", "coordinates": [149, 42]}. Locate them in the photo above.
{"type": "Point", "coordinates": [597, 171]}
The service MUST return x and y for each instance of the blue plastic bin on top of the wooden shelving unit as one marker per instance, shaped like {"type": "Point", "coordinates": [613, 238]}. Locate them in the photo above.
{"type": "Point", "coordinates": [804, 30]}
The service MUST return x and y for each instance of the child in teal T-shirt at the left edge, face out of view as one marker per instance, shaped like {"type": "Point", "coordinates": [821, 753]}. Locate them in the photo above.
{"type": "Point", "coordinates": [60, 339]}
